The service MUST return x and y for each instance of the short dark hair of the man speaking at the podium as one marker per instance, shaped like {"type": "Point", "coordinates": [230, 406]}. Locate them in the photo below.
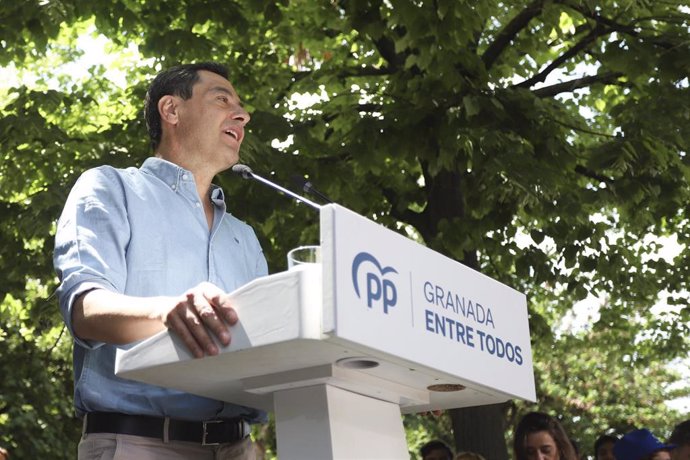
{"type": "Point", "coordinates": [177, 81]}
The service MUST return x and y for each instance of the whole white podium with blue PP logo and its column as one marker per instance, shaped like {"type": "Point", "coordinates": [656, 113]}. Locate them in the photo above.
{"type": "Point", "coordinates": [337, 350]}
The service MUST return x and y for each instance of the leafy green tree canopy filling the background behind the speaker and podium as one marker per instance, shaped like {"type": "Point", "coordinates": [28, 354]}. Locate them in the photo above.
{"type": "Point", "coordinates": [539, 142]}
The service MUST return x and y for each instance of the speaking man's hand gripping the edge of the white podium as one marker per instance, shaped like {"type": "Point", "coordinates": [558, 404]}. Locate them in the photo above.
{"type": "Point", "coordinates": [203, 309]}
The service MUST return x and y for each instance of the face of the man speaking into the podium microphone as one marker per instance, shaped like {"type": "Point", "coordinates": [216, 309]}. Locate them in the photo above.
{"type": "Point", "coordinates": [212, 123]}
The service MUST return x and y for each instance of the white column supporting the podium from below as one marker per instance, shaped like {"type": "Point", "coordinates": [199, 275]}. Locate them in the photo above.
{"type": "Point", "coordinates": [326, 422]}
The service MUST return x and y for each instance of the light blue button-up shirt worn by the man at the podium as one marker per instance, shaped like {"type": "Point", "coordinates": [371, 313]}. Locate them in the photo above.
{"type": "Point", "coordinates": [143, 232]}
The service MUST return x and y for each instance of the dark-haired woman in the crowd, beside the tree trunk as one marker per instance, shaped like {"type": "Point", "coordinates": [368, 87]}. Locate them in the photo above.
{"type": "Point", "coordinates": [539, 436]}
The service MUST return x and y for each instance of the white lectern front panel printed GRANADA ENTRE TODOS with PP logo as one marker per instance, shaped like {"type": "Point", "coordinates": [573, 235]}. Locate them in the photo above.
{"type": "Point", "coordinates": [400, 298]}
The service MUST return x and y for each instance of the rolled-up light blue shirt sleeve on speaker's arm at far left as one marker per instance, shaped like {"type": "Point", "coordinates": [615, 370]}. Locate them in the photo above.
{"type": "Point", "coordinates": [91, 241]}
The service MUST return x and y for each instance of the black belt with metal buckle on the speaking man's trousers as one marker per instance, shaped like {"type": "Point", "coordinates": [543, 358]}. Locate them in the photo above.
{"type": "Point", "coordinates": [207, 433]}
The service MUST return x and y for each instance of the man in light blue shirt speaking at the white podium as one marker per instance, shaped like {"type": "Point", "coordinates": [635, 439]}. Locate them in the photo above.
{"type": "Point", "coordinates": [139, 250]}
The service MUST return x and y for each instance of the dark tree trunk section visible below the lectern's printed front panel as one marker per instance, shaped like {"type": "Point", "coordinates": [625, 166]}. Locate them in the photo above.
{"type": "Point", "coordinates": [481, 430]}
